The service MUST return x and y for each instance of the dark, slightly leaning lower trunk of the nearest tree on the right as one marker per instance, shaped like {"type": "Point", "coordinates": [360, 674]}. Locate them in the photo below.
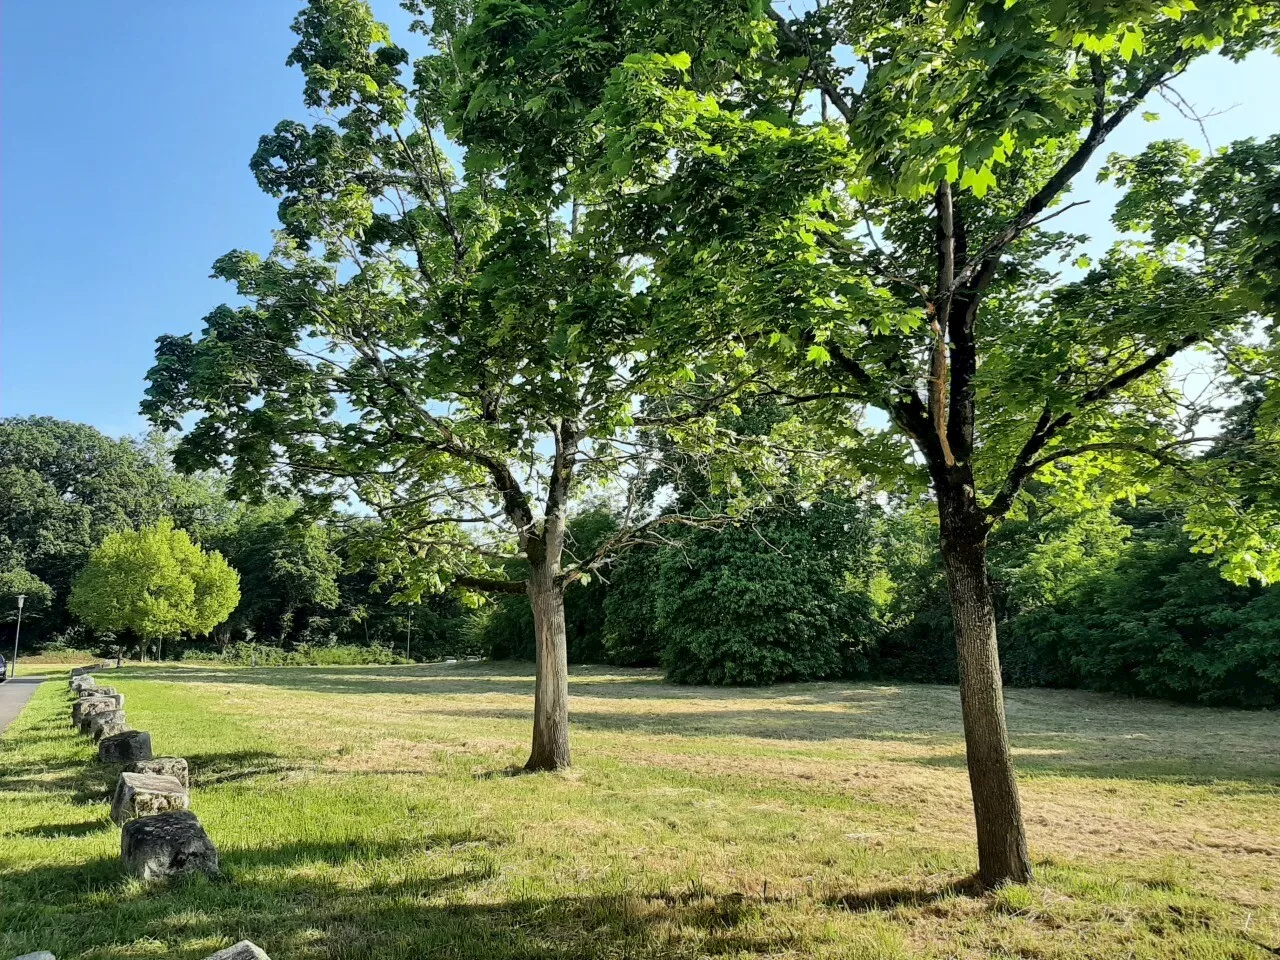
{"type": "Point", "coordinates": [998, 810]}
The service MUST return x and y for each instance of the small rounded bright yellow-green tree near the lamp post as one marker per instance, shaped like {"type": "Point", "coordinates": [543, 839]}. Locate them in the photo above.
{"type": "Point", "coordinates": [157, 584]}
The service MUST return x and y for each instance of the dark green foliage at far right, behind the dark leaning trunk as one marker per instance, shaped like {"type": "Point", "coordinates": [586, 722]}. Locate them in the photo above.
{"type": "Point", "coordinates": [1104, 602]}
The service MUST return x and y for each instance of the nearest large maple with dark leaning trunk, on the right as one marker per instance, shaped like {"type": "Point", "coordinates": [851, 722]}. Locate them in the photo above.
{"type": "Point", "coordinates": [860, 199]}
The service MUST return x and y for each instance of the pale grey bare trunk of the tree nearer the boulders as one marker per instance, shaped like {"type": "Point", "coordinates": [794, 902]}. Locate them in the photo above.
{"type": "Point", "coordinates": [551, 692]}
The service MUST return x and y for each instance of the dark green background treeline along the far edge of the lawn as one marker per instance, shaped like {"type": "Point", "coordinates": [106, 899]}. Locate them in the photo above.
{"type": "Point", "coordinates": [1107, 598]}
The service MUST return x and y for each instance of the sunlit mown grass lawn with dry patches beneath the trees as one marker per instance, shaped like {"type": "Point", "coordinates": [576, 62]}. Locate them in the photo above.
{"type": "Point", "coordinates": [373, 812]}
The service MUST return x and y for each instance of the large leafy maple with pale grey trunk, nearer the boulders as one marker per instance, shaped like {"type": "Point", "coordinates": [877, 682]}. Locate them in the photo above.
{"type": "Point", "coordinates": [455, 346]}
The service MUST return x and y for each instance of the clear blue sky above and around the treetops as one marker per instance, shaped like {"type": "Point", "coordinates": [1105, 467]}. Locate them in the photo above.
{"type": "Point", "coordinates": [126, 129]}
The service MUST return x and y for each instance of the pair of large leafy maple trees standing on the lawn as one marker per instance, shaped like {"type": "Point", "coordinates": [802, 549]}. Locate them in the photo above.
{"type": "Point", "coordinates": [506, 267]}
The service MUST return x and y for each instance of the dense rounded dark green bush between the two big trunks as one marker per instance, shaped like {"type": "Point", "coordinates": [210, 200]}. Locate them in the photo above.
{"type": "Point", "coordinates": [779, 601]}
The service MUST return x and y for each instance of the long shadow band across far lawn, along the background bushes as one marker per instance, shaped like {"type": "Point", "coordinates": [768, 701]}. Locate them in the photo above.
{"type": "Point", "coordinates": [1055, 733]}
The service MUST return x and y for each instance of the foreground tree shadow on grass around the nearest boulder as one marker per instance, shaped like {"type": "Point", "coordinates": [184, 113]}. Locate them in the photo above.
{"type": "Point", "coordinates": [287, 902]}
